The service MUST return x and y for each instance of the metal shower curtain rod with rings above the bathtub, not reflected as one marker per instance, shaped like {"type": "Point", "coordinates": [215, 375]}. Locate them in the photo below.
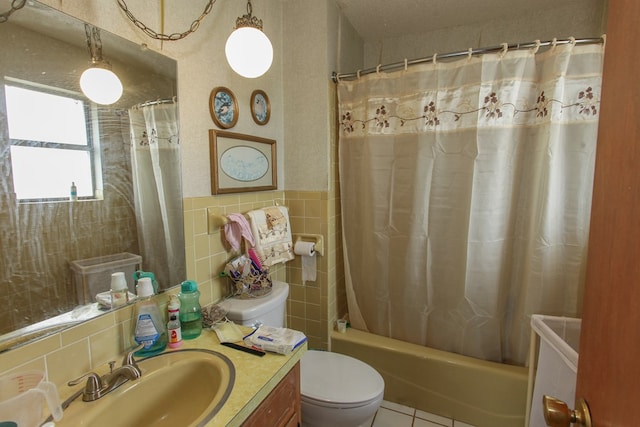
{"type": "Point", "coordinates": [336, 77]}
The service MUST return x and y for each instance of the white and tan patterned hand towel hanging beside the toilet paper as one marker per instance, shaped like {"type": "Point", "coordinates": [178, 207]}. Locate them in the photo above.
{"type": "Point", "coordinates": [272, 234]}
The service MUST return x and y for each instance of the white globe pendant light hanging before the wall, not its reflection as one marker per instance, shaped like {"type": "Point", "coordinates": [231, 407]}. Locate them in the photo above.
{"type": "Point", "coordinates": [249, 51]}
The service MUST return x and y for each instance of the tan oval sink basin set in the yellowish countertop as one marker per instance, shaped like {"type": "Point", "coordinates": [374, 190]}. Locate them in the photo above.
{"type": "Point", "coordinates": [178, 388]}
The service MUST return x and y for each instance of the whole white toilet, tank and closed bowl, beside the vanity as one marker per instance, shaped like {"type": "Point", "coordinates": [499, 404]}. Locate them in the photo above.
{"type": "Point", "coordinates": [337, 390]}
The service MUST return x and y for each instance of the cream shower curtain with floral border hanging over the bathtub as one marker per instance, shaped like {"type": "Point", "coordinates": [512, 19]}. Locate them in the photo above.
{"type": "Point", "coordinates": [466, 195]}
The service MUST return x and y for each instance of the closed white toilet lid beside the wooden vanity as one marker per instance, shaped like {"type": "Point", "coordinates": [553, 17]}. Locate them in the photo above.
{"type": "Point", "coordinates": [336, 378]}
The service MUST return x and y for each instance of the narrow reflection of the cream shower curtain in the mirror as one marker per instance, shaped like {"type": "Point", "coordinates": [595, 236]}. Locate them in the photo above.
{"type": "Point", "coordinates": [157, 189]}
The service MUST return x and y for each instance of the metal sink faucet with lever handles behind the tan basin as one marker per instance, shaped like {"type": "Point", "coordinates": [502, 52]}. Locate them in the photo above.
{"type": "Point", "coordinates": [96, 386]}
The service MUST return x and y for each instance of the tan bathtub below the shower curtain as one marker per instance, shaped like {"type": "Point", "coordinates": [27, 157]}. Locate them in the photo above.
{"type": "Point", "coordinates": [477, 392]}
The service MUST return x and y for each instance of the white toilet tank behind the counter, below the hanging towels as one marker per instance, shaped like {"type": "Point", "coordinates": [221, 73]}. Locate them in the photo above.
{"type": "Point", "coordinates": [264, 310]}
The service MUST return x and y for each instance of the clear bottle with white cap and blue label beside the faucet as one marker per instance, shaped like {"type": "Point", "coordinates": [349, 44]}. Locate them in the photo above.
{"type": "Point", "coordinates": [148, 325]}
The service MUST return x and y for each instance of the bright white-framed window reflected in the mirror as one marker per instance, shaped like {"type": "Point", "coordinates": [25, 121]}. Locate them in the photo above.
{"type": "Point", "coordinates": [51, 145]}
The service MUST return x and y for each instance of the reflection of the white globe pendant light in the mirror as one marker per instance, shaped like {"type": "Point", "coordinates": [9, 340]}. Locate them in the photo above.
{"type": "Point", "coordinates": [98, 82]}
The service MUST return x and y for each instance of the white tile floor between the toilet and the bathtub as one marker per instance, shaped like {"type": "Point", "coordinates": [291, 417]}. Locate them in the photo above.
{"type": "Point", "coordinates": [394, 415]}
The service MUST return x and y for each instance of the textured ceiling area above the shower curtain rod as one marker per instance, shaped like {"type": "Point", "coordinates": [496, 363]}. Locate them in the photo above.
{"type": "Point", "coordinates": [380, 19]}
